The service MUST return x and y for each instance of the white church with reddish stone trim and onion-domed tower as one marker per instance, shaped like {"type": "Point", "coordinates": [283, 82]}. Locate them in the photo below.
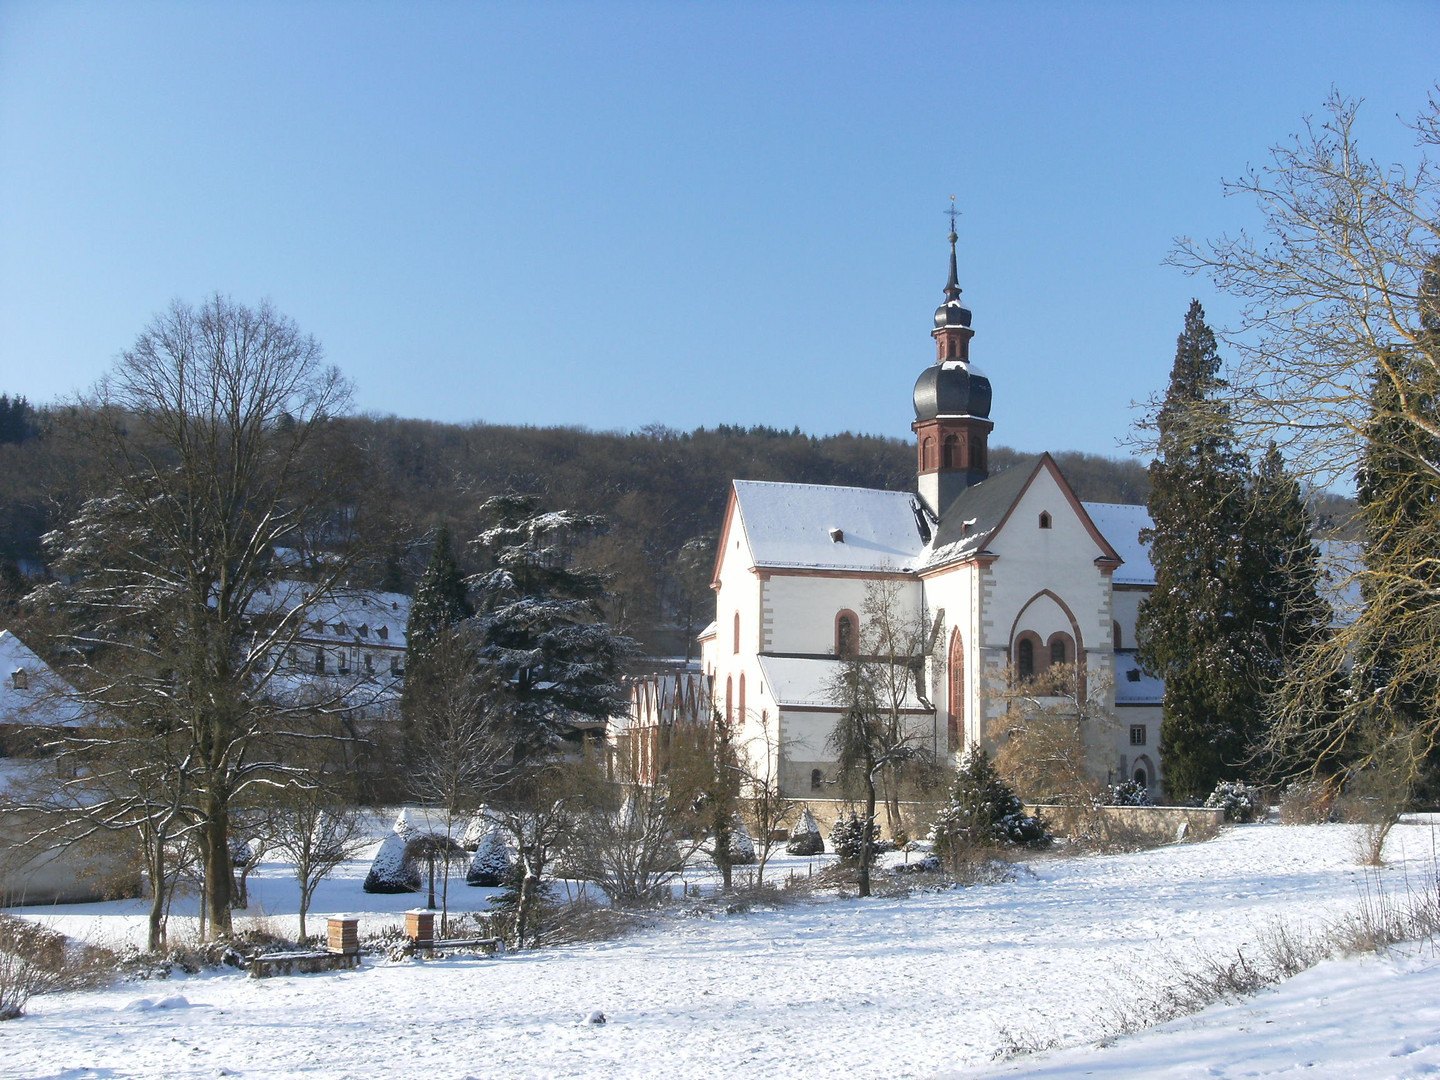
{"type": "Point", "coordinates": [1012, 574]}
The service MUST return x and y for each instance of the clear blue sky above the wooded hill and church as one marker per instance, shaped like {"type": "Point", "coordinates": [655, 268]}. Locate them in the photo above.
{"type": "Point", "coordinates": [618, 215]}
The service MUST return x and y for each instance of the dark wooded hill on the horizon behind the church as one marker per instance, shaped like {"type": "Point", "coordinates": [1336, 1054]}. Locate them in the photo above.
{"type": "Point", "coordinates": [662, 490]}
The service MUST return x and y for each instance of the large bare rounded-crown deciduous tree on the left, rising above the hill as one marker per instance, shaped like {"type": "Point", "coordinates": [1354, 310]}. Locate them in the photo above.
{"type": "Point", "coordinates": [221, 467]}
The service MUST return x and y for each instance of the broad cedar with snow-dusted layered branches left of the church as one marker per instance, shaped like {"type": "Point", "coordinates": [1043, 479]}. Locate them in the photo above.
{"type": "Point", "coordinates": [541, 626]}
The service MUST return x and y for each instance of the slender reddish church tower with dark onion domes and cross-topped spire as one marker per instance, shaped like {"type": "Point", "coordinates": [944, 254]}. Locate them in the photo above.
{"type": "Point", "coordinates": [953, 402]}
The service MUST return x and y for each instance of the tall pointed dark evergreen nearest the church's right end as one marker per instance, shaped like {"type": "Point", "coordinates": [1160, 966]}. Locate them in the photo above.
{"type": "Point", "coordinates": [1197, 629]}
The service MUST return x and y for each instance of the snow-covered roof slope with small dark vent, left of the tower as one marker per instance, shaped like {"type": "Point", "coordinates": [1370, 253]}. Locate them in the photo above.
{"type": "Point", "coordinates": [819, 526]}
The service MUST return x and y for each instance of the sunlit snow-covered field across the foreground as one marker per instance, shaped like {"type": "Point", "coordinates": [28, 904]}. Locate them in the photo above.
{"type": "Point", "coordinates": [934, 986]}
